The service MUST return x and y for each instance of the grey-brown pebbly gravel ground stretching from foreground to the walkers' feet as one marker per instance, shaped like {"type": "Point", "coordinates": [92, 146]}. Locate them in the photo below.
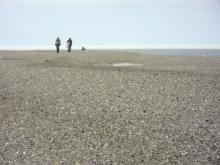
{"type": "Point", "coordinates": [78, 109]}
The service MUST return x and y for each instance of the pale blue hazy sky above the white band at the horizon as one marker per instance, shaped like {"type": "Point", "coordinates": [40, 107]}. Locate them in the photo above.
{"type": "Point", "coordinates": [127, 22]}
